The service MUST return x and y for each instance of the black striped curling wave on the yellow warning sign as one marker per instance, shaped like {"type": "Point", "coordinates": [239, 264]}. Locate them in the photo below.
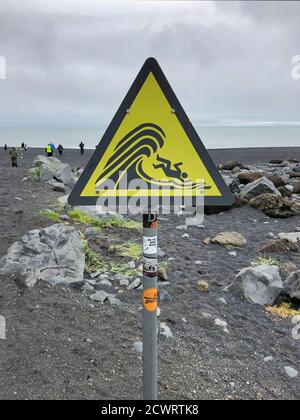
{"type": "Point", "coordinates": [138, 144]}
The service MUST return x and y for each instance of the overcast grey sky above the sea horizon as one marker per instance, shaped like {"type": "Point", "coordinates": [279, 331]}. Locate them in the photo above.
{"type": "Point", "coordinates": [71, 62]}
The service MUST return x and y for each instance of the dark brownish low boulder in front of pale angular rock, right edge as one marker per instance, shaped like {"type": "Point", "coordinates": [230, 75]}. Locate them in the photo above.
{"type": "Point", "coordinates": [275, 206]}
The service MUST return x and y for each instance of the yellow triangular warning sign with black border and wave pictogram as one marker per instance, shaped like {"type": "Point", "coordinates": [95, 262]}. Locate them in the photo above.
{"type": "Point", "coordinates": [151, 143]}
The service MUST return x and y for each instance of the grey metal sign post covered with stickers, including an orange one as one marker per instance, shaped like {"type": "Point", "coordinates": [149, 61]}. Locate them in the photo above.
{"type": "Point", "coordinates": [150, 297]}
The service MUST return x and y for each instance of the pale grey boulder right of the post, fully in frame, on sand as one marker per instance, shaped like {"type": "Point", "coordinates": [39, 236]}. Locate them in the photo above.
{"type": "Point", "coordinates": [260, 285]}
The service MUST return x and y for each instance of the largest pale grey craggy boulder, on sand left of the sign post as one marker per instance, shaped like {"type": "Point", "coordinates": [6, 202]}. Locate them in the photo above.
{"type": "Point", "coordinates": [55, 254]}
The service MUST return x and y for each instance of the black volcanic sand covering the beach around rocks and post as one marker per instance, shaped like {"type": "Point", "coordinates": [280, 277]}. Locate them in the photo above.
{"type": "Point", "coordinates": [46, 355]}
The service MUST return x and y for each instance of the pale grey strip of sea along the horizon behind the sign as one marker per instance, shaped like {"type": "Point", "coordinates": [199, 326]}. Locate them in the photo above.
{"type": "Point", "coordinates": [213, 136]}
